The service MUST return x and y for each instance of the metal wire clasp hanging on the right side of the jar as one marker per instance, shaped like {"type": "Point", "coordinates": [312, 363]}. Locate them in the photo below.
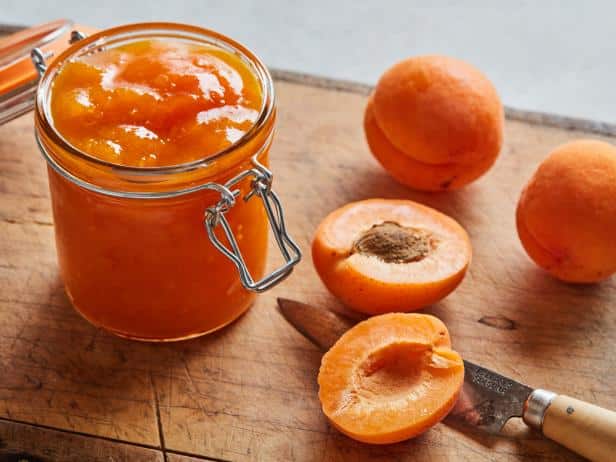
{"type": "Point", "coordinates": [214, 216]}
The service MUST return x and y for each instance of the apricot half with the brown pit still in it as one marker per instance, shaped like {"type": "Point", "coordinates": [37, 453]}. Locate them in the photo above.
{"type": "Point", "coordinates": [382, 255]}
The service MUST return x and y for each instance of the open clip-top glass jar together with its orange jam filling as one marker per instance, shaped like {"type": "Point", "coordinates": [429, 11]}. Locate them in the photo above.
{"type": "Point", "coordinates": [157, 137]}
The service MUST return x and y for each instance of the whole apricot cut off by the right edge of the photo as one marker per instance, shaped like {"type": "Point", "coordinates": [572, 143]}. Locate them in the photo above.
{"type": "Point", "coordinates": [566, 214]}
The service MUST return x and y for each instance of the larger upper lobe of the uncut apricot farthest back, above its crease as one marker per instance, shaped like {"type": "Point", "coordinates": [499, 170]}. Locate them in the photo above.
{"type": "Point", "coordinates": [439, 109]}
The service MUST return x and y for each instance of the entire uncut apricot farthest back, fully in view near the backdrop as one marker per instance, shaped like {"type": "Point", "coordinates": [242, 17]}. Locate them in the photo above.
{"type": "Point", "coordinates": [435, 123]}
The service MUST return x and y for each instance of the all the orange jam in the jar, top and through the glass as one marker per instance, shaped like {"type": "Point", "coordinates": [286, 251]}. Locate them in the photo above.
{"type": "Point", "coordinates": [145, 268]}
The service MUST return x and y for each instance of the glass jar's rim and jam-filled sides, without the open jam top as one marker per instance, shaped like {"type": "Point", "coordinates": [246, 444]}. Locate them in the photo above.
{"type": "Point", "coordinates": [163, 253]}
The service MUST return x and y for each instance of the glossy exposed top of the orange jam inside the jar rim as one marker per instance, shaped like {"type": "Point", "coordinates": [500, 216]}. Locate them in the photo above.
{"type": "Point", "coordinates": [155, 103]}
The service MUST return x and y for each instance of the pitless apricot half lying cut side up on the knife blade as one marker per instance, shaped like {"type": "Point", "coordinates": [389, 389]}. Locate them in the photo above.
{"type": "Point", "coordinates": [390, 378]}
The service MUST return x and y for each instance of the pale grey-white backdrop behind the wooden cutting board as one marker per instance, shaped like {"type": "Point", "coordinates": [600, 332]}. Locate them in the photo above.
{"type": "Point", "coordinates": [546, 55]}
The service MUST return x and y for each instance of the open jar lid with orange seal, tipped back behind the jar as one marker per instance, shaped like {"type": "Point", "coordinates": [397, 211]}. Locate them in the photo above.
{"type": "Point", "coordinates": [19, 70]}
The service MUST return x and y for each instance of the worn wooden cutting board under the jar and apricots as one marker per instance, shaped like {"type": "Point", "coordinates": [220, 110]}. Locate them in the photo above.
{"type": "Point", "coordinates": [69, 391]}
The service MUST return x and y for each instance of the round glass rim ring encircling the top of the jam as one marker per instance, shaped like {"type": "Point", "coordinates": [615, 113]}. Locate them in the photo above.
{"type": "Point", "coordinates": [144, 30]}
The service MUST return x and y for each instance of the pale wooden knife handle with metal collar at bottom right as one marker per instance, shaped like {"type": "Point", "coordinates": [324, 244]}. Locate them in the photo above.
{"type": "Point", "coordinates": [584, 428]}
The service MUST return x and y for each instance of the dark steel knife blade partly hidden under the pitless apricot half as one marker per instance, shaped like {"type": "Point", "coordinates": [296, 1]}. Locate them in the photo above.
{"type": "Point", "coordinates": [487, 400]}
